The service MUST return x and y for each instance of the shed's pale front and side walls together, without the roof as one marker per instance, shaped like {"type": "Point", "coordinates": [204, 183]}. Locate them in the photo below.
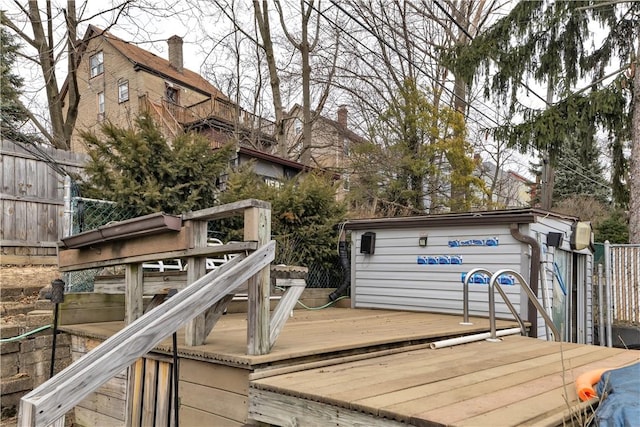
{"type": "Point", "coordinates": [393, 278]}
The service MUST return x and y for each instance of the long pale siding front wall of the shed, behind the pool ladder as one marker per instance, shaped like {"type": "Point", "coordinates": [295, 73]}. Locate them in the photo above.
{"type": "Point", "coordinates": [393, 278]}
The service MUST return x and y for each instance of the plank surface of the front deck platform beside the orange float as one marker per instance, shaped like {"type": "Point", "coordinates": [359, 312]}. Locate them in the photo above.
{"type": "Point", "coordinates": [518, 381]}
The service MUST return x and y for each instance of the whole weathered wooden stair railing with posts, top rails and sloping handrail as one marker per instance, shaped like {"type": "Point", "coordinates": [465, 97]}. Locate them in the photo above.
{"type": "Point", "coordinates": [199, 305]}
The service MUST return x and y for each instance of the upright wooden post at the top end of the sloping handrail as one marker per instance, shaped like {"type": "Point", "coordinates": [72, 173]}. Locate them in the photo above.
{"type": "Point", "coordinates": [257, 226]}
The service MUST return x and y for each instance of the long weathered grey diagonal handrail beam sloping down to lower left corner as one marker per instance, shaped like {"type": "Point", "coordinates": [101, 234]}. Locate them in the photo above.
{"type": "Point", "coordinates": [55, 397]}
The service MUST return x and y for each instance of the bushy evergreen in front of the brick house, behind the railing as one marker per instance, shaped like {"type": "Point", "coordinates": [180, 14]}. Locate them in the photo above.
{"type": "Point", "coordinates": [139, 169]}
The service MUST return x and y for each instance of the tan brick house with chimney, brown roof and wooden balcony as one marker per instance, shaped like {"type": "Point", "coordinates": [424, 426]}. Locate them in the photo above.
{"type": "Point", "coordinates": [118, 80]}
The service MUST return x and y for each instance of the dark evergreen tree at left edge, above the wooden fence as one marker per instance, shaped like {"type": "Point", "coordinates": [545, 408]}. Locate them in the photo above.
{"type": "Point", "coordinates": [12, 114]}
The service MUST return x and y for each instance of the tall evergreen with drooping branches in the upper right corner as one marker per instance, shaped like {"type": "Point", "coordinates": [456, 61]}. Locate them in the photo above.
{"type": "Point", "coordinates": [553, 43]}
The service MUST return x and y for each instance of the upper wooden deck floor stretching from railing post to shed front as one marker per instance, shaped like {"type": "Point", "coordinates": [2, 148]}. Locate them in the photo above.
{"type": "Point", "coordinates": [310, 335]}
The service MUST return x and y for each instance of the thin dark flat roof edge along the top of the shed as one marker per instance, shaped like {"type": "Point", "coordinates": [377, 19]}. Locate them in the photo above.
{"type": "Point", "coordinates": [510, 216]}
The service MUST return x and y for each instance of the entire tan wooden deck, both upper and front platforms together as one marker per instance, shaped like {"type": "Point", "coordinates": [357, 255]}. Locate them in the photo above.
{"type": "Point", "coordinates": [374, 367]}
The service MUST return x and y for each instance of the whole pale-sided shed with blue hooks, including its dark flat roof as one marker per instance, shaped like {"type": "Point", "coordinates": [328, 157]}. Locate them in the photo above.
{"type": "Point", "coordinates": [402, 274]}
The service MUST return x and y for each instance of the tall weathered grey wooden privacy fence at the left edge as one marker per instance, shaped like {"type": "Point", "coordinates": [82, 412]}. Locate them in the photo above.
{"type": "Point", "coordinates": [32, 201]}
